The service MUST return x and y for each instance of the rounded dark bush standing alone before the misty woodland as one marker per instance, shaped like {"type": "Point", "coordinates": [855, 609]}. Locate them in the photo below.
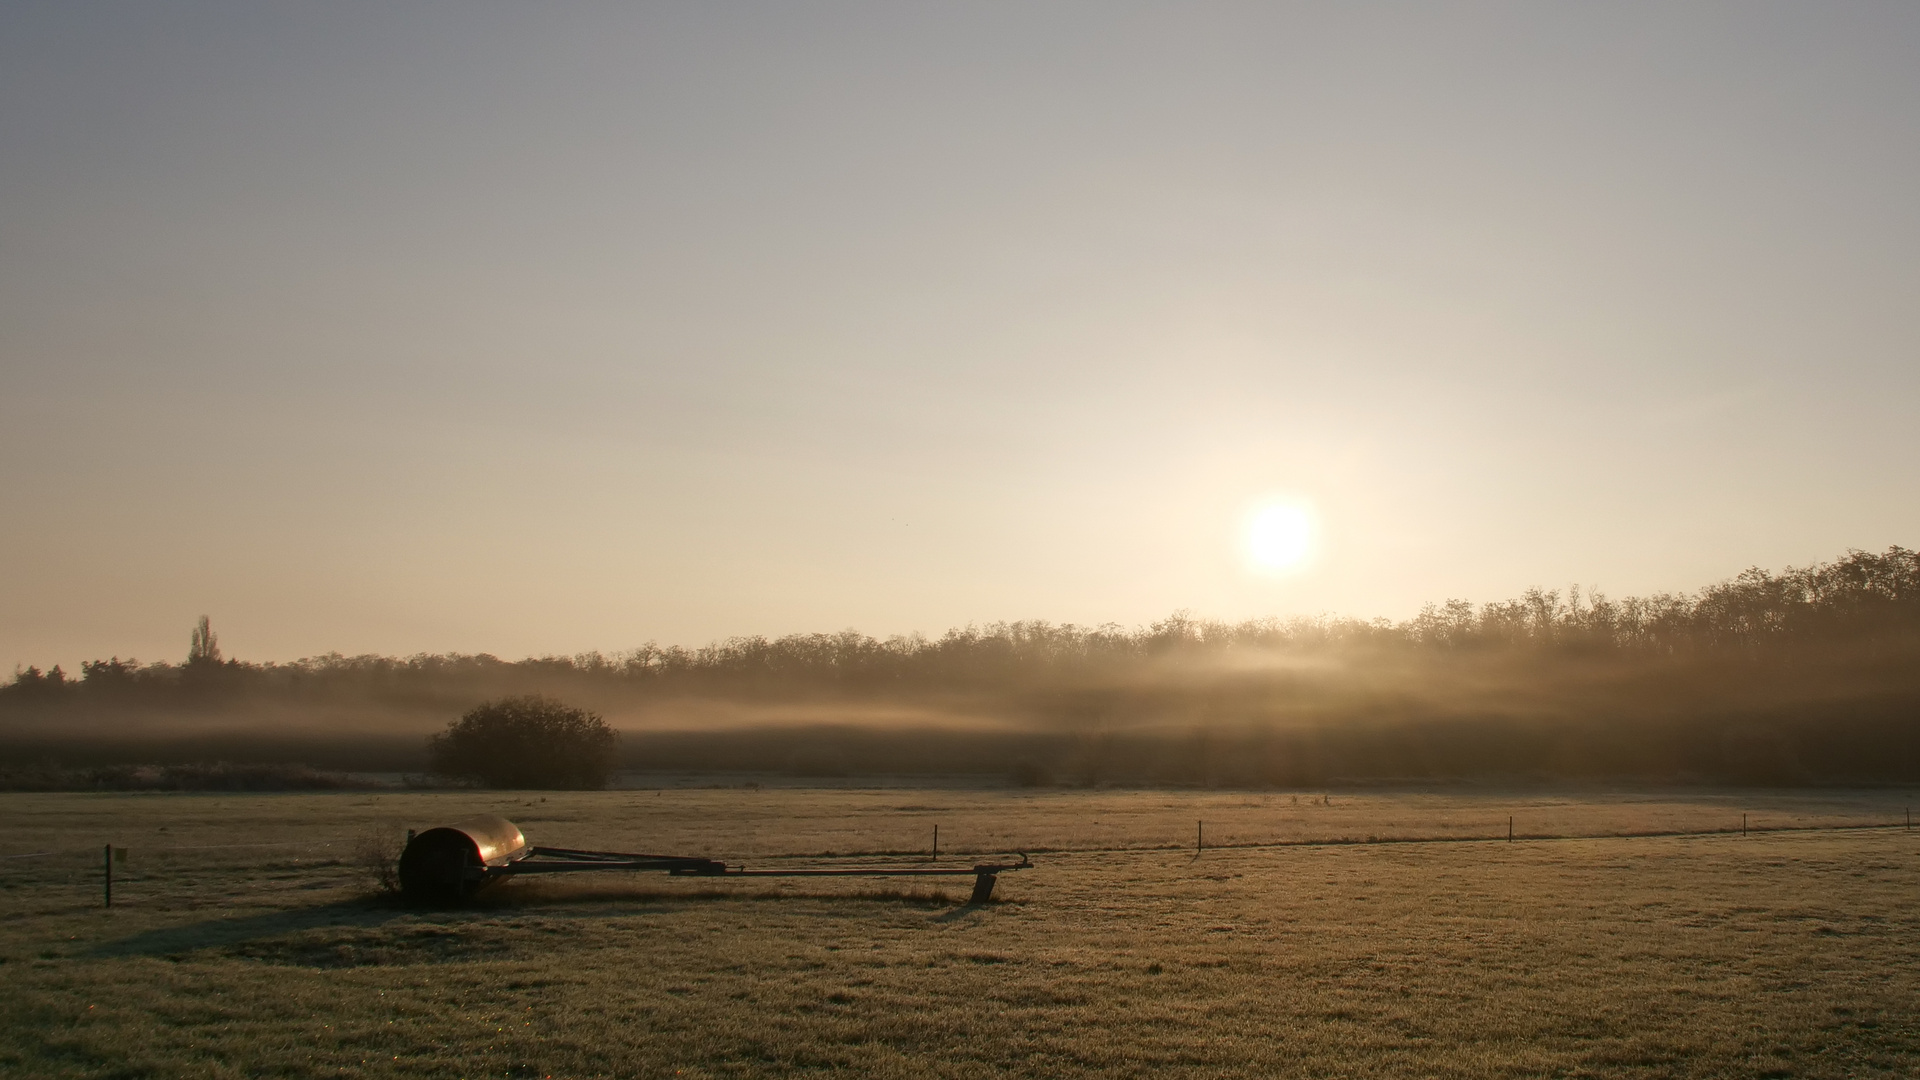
{"type": "Point", "coordinates": [527, 743]}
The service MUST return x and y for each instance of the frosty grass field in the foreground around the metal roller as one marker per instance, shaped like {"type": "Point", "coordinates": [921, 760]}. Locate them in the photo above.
{"type": "Point", "coordinates": [243, 941]}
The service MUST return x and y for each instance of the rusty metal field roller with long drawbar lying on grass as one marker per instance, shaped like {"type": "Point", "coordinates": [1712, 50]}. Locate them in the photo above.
{"type": "Point", "coordinates": [450, 864]}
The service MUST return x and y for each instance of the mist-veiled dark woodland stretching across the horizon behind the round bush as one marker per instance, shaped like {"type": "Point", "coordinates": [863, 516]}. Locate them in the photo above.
{"type": "Point", "coordinates": [1796, 677]}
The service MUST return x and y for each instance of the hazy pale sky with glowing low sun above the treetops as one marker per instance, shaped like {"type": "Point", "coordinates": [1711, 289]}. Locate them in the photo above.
{"type": "Point", "coordinates": [552, 328]}
